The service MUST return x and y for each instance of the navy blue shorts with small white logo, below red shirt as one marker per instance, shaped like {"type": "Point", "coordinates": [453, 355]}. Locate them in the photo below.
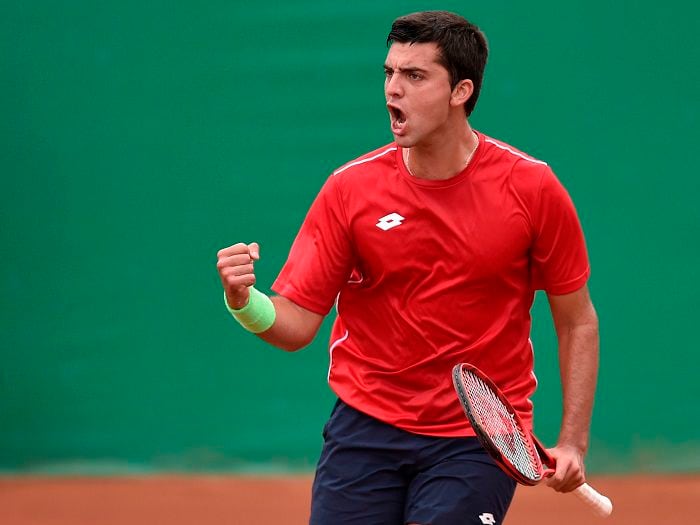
{"type": "Point", "coordinates": [371, 473]}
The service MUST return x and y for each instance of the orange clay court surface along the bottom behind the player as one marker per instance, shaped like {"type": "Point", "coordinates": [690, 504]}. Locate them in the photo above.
{"type": "Point", "coordinates": [255, 500]}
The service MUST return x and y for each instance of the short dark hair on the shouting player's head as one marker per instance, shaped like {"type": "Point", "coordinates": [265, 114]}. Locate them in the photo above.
{"type": "Point", "coordinates": [463, 47]}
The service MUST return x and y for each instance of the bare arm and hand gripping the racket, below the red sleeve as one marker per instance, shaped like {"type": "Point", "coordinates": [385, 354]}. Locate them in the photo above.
{"type": "Point", "coordinates": [576, 324]}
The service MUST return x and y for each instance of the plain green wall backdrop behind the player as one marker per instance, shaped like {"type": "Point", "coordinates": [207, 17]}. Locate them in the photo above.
{"type": "Point", "coordinates": [138, 138]}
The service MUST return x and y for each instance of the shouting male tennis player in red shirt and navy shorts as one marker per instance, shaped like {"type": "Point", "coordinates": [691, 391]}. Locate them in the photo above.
{"type": "Point", "coordinates": [433, 247]}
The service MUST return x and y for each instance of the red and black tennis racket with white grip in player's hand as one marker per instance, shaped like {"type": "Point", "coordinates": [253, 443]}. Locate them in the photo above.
{"type": "Point", "coordinates": [500, 430]}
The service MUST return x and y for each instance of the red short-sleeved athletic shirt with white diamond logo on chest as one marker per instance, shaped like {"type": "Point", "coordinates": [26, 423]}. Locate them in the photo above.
{"type": "Point", "coordinates": [429, 273]}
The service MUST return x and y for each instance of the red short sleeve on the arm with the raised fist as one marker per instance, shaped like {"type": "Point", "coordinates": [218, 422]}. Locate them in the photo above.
{"type": "Point", "coordinates": [321, 258]}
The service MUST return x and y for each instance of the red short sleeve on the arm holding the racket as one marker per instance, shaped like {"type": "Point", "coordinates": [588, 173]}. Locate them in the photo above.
{"type": "Point", "coordinates": [559, 259]}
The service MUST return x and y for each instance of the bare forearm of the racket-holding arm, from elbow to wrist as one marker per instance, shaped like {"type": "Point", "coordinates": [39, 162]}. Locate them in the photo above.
{"type": "Point", "coordinates": [578, 361]}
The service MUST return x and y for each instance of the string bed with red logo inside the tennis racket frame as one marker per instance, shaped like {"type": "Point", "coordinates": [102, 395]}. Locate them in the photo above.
{"type": "Point", "coordinates": [500, 425]}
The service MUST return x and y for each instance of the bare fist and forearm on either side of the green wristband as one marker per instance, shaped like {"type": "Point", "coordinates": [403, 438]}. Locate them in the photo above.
{"type": "Point", "coordinates": [294, 326]}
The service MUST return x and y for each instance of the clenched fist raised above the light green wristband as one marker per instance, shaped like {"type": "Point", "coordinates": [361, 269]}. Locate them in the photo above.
{"type": "Point", "coordinates": [237, 272]}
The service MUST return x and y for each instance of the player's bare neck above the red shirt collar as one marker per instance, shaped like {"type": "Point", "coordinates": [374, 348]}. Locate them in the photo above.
{"type": "Point", "coordinates": [442, 159]}
